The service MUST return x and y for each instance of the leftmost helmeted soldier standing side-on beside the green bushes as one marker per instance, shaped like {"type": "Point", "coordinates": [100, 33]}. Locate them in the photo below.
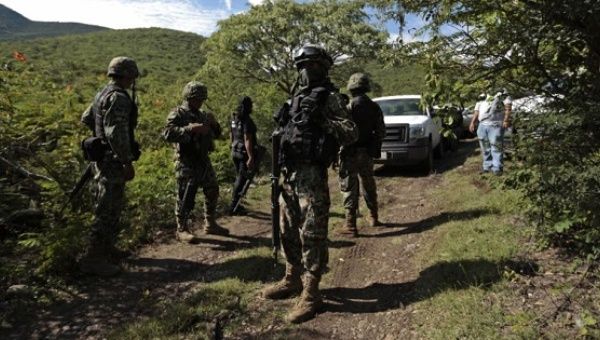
{"type": "Point", "coordinates": [112, 117]}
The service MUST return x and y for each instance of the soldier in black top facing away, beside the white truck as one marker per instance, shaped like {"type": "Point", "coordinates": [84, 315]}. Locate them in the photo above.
{"type": "Point", "coordinates": [356, 160]}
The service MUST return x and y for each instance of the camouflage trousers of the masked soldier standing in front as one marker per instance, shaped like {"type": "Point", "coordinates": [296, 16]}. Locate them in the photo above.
{"type": "Point", "coordinates": [305, 205]}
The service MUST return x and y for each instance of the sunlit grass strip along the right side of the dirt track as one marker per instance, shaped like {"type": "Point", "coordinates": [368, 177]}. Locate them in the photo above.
{"type": "Point", "coordinates": [463, 281]}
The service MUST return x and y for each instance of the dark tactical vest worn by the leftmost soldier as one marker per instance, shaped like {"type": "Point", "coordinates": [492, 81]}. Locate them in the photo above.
{"type": "Point", "coordinates": [97, 106]}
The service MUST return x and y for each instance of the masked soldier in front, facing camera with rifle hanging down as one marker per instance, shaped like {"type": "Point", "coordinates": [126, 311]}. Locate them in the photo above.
{"type": "Point", "coordinates": [317, 123]}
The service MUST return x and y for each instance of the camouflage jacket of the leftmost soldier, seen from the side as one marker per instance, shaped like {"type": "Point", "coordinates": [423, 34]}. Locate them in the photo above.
{"type": "Point", "coordinates": [116, 112]}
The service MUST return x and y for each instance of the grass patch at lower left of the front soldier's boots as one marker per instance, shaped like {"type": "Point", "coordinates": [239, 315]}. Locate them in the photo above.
{"type": "Point", "coordinates": [226, 304]}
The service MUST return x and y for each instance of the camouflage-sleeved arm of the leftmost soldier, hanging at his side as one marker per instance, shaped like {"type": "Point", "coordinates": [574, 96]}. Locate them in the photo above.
{"type": "Point", "coordinates": [116, 126]}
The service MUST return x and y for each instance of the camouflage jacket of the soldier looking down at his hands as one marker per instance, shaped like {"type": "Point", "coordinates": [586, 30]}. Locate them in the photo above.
{"type": "Point", "coordinates": [191, 150]}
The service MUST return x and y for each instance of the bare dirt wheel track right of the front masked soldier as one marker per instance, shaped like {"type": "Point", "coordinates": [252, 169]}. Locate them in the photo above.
{"type": "Point", "coordinates": [368, 291]}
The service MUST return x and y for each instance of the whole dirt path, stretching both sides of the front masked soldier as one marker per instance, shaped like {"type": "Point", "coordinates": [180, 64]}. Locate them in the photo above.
{"type": "Point", "coordinates": [368, 290]}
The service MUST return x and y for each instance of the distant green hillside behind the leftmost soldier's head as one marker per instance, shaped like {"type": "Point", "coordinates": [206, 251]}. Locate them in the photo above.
{"type": "Point", "coordinates": [77, 63]}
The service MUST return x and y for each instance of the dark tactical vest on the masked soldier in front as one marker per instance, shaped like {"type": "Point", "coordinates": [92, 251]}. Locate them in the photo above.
{"type": "Point", "coordinates": [304, 139]}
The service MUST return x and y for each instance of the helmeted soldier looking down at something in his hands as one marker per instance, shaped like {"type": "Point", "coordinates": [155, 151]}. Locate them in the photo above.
{"type": "Point", "coordinates": [193, 132]}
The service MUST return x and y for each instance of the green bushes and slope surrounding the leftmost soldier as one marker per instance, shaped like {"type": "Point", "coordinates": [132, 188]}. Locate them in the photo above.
{"type": "Point", "coordinates": [41, 101]}
